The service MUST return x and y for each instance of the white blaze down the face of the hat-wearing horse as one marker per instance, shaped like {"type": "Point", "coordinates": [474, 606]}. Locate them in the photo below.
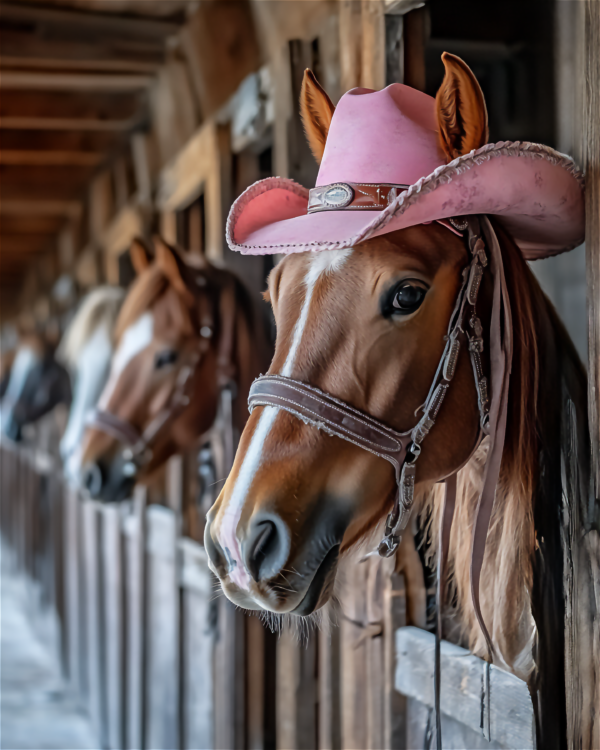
{"type": "Point", "coordinates": [324, 262]}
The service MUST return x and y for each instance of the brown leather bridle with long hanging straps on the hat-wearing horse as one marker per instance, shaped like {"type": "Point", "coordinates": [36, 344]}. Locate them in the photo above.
{"type": "Point", "coordinates": [402, 449]}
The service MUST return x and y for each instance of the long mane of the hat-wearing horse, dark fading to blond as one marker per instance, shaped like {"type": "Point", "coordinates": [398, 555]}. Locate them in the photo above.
{"type": "Point", "coordinates": [541, 352]}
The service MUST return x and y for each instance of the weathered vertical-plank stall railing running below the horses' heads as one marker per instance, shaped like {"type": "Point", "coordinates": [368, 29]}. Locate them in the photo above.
{"type": "Point", "coordinates": [163, 661]}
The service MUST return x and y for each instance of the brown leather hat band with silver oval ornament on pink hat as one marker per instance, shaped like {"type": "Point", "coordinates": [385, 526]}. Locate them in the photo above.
{"type": "Point", "coordinates": [353, 196]}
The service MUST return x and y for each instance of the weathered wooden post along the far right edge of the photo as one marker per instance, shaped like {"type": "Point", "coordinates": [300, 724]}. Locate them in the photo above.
{"type": "Point", "coordinates": [583, 601]}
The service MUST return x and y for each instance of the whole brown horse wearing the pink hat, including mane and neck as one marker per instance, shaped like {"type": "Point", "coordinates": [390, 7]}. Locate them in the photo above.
{"type": "Point", "coordinates": [367, 325]}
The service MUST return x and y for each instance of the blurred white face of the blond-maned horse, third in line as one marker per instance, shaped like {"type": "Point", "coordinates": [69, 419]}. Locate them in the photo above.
{"type": "Point", "coordinates": [92, 371]}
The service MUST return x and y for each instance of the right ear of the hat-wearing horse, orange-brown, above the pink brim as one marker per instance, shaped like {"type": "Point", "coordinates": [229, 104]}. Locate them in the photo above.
{"type": "Point", "coordinates": [460, 108]}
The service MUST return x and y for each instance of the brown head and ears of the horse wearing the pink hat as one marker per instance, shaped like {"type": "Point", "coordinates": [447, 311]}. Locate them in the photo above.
{"type": "Point", "coordinates": [366, 325]}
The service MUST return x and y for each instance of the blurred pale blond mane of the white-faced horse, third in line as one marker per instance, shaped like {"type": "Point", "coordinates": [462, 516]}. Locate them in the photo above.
{"type": "Point", "coordinates": [98, 308]}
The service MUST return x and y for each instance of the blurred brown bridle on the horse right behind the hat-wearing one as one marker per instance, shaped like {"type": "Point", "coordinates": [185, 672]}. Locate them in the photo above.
{"type": "Point", "coordinates": [138, 444]}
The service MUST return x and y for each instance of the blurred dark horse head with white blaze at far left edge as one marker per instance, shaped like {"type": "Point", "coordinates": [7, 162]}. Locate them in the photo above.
{"type": "Point", "coordinates": [36, 385]}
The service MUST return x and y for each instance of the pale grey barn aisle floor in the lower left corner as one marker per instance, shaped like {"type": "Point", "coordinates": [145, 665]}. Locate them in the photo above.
{"type": "Point", "coordinates": [37, 709]}
